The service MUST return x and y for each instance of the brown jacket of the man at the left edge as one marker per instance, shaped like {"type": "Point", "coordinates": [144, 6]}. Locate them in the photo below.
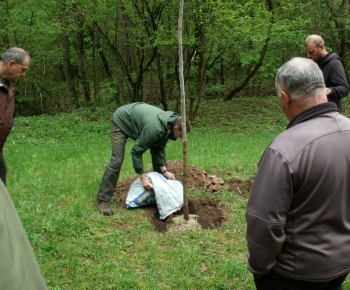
{"type": "Point", "coordinates": [7, 109]}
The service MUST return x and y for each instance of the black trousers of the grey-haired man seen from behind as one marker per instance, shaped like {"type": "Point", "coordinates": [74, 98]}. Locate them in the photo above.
{"type": "Point", "coordinates": [275, 281]}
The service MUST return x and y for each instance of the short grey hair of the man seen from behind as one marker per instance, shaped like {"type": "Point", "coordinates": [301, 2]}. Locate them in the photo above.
{"type": "Point", "coordinates": [300, 77]}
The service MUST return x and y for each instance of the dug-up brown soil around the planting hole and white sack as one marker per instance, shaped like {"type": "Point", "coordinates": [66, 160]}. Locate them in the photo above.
{"type": "Point", "coordinates": [208, 212]}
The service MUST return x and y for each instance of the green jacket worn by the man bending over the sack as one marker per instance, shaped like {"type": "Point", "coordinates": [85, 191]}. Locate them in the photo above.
{"type": "Point", "coordinates": [150, 127]}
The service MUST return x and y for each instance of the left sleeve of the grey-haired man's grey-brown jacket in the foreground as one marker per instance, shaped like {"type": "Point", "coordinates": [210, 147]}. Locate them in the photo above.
{"type": "Point", "coordinates": [267, 210]}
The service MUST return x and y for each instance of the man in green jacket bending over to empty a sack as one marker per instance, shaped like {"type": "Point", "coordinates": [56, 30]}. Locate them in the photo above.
{"type": "Point", "coordinates": [151, 128]}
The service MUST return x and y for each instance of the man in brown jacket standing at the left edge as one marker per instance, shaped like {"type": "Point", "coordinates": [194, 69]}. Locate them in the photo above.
{"type": "Point", "coordinates": [14, 64]}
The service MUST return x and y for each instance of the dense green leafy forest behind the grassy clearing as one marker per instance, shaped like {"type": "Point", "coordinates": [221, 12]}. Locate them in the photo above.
{"type": "Point", "coordinates": [110, 52]}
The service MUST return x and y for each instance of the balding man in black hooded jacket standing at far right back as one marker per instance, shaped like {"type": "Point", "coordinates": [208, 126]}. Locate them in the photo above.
{"type": "Point", "coordinates": [330, 64]}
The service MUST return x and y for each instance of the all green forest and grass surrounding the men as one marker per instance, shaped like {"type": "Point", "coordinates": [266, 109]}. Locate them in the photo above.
{"type": "Point", "coordinates": [92, 56]}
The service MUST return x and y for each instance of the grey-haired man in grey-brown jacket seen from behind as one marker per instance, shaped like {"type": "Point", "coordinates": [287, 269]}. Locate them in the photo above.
{"type": "Point", "coordinates": [298, 212]}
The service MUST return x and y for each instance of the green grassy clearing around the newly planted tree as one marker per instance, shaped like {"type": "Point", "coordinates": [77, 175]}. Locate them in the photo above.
{"type": "Point", "coordinates": [55, 165]}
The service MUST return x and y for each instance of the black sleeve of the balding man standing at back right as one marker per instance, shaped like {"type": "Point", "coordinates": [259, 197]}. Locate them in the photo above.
{"type": "Point", "coordinates": [336, 81]}
